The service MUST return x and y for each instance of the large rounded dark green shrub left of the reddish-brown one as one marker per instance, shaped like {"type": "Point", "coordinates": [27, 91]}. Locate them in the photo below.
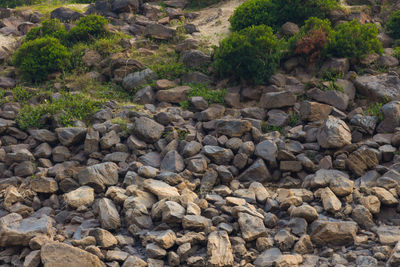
{"type": "Point", "coordinates": [252, 53]}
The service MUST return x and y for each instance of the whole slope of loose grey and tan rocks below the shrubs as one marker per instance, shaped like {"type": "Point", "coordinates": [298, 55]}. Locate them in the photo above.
{"type": "Point", "coordinates": [213, 186]}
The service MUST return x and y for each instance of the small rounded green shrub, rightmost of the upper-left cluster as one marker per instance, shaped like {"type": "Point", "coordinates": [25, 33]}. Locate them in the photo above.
{"type": "Point", "coordinates": [88, 28]}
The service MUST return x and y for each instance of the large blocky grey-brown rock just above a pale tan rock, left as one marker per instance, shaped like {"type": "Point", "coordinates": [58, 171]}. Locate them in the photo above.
{"type": "Point", "coordinates": [99, 176]}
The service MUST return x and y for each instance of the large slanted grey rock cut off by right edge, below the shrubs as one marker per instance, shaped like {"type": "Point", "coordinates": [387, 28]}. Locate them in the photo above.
{"type": "Point", "coordinates": [383, 86]}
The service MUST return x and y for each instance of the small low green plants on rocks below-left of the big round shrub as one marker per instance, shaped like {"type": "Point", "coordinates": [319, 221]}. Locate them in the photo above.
{"type": "Point", "coordinates": [211, 96]}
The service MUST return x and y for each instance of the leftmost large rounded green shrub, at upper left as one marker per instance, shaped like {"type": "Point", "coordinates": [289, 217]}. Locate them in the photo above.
{"type": "Point", "coordinates": [38, 58]}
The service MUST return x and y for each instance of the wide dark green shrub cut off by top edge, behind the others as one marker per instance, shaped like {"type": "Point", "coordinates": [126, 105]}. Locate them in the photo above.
{"type": "Point", "coordinates": [275, 13]}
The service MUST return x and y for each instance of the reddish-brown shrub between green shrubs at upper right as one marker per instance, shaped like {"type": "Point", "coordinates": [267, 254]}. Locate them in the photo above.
{"type": "Point", "coordinates": [312, 45]}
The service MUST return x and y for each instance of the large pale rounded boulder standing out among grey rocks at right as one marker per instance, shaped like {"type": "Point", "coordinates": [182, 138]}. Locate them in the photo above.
{"type": "Point", "coordinates": [334, 133]}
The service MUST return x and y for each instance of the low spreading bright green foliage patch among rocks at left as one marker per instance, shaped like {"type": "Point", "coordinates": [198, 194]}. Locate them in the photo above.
{"type": "Point", "coordinates": [67, 109]}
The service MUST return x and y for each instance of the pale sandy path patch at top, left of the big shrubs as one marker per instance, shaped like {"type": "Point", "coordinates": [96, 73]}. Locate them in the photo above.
{"type": "Point", "coordinates": [213, 21]}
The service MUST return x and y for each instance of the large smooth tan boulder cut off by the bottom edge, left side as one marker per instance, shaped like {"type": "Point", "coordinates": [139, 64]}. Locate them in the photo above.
{"type": "Point", "coordinates": [60, 254]}
